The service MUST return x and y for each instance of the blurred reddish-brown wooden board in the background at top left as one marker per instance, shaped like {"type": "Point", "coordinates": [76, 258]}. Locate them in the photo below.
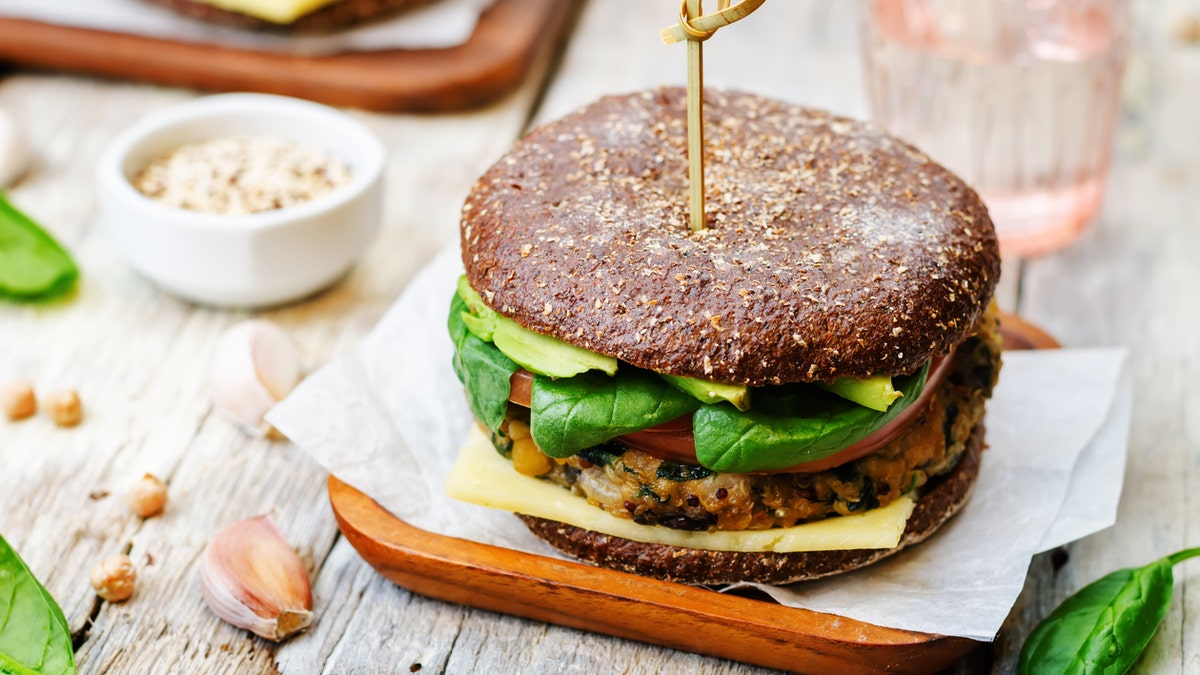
{"type": "Point", "coordinates": [507, 41]}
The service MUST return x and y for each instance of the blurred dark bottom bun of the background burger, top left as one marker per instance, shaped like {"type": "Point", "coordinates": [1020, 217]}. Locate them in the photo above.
{"type": "Point", "coordinates": [343, 14]}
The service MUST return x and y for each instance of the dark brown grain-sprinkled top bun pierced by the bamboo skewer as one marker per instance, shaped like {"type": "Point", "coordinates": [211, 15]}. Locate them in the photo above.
{"type": "Point", "coordinates": [832, 250]}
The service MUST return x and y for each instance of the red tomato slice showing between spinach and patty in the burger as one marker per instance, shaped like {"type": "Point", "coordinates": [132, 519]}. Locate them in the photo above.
{"type": "Point", "coordinates": [674, 441]}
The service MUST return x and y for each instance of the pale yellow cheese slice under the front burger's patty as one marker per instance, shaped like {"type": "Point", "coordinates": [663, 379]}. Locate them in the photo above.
{"type": "Point", "coordinates": [483, 477]}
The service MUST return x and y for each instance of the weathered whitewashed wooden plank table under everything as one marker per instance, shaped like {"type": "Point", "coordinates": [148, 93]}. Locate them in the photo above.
{"type": "Point", "coordinates": [140, 360]}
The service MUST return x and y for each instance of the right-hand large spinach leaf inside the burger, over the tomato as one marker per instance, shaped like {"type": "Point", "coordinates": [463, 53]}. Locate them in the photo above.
{"type": "Point", "coordinates": [790, 426]}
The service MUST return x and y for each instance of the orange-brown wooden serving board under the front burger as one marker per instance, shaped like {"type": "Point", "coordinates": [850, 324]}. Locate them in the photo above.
{"type": "Point", "coordinates": [604, 601]}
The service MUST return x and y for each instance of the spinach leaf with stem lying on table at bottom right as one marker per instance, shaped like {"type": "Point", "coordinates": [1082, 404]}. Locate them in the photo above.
{"type": "Point", "coordinates": [1106, 626]}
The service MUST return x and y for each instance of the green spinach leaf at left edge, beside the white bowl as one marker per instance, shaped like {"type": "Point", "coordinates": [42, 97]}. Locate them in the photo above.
{"type": "Point", "coordinates": [33, 265]}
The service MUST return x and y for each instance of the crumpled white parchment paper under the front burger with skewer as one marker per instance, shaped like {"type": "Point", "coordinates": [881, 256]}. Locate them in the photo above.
{"type": "Point", "coordinates": [391, 416]}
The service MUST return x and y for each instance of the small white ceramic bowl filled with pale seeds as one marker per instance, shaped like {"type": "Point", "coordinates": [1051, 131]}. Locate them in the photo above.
{"type": "Point", "coordinates": [254, 260]}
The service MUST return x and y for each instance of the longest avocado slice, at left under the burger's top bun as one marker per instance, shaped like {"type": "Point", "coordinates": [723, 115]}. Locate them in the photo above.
{"type": "Point", "coordinates": [536, 353]}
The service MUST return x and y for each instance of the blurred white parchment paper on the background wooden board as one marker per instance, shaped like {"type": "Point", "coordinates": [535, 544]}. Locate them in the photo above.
{"type": "Point", "coordinates": [442, 25]}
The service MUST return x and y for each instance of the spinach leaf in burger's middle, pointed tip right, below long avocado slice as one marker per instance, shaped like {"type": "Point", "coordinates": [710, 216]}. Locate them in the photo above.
{"type": "Point", "coordinates": [573, 414]}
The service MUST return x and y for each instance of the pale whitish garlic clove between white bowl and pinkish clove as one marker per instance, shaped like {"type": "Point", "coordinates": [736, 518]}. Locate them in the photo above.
{"type": "Point", "coordinates": [256, 366]}
